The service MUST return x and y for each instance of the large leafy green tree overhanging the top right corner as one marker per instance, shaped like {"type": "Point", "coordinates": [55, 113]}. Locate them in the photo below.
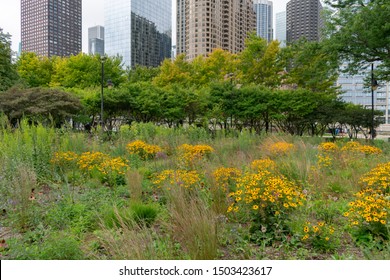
{"type": "Point", "coordinates": [361, 34]}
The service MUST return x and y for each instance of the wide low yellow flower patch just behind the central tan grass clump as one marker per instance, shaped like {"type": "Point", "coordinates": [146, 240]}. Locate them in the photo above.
{"type": "Point", "coordinates": [182, 178]}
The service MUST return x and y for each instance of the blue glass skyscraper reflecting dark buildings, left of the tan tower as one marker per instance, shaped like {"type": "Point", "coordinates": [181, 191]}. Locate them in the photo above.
{"type": "Point", "coordinates": [140, 31]}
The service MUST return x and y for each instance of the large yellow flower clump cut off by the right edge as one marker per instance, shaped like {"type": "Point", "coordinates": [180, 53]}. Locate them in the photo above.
{"type": "Point", "coordinates": [370, 209]}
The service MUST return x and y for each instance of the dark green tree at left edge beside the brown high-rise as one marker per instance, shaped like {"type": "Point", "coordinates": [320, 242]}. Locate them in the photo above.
{"type": "Point", "coordinates": [8, 75]}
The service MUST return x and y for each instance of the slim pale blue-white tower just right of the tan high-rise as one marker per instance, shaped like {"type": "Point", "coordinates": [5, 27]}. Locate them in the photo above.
{"type": "Point", "coordinates": [264, 19]}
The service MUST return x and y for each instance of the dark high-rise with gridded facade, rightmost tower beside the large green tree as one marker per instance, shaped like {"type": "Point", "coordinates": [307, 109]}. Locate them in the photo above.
{"type": "Point", "coordinates": [304, 20]}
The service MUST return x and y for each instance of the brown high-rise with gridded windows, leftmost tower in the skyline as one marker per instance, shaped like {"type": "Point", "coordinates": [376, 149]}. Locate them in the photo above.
{"type": "Point", "coordinates": [51, 27]}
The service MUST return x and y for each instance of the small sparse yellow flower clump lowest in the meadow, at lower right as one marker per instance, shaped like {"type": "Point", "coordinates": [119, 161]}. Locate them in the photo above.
{"type": "Point", "coordinates": [320, 235]}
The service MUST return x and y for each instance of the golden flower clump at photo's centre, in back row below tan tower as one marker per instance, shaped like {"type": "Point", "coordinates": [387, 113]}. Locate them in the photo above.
{"type": "Point", "coordinates": [190, 154]}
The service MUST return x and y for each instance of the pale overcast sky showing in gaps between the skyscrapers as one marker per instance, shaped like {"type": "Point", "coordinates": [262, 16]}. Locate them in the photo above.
{"type": "Point", "coordinates": [93, 14]}
